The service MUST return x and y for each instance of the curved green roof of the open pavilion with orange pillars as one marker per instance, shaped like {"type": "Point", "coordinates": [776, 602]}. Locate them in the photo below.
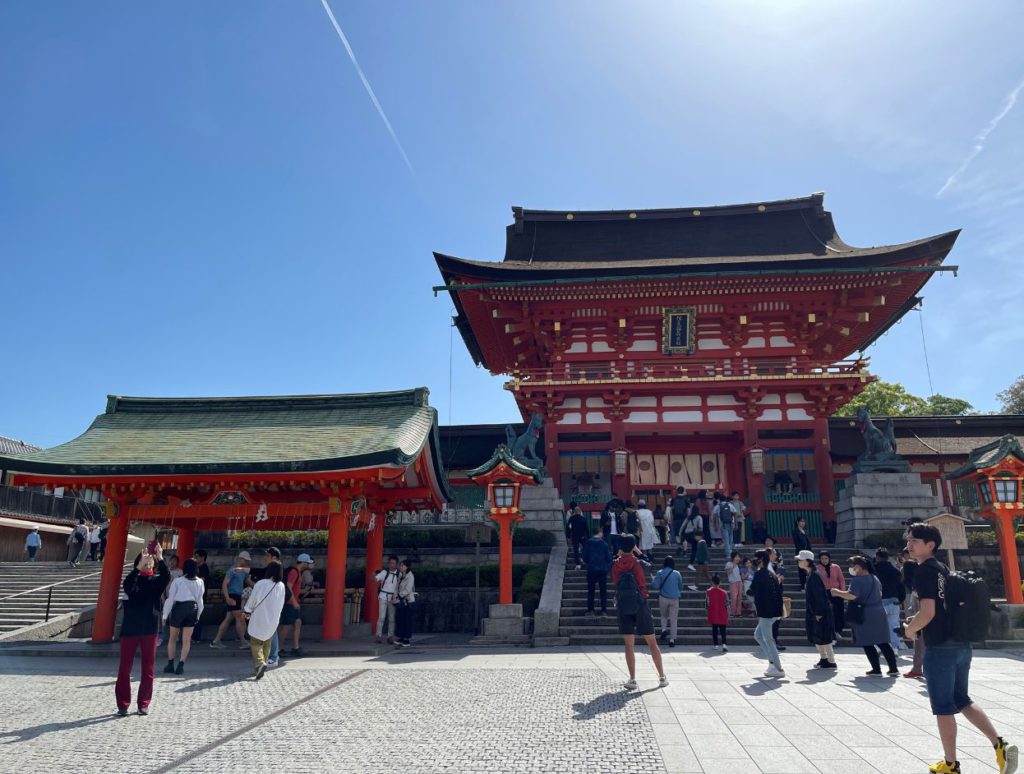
{"type": "Point", "coordinates": [305, 434]}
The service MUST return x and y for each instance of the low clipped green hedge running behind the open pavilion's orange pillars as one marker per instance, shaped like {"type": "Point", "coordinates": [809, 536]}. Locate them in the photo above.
{"type": "Point", "coordinates": [396, 539]}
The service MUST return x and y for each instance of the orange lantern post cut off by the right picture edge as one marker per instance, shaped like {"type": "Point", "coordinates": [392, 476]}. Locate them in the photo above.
{"type": "Point", "coordinates": [998, 471]}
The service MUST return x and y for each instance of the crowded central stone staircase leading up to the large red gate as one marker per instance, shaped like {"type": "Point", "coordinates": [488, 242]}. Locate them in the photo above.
{"type": "Point", "coordinates": [694, 629]}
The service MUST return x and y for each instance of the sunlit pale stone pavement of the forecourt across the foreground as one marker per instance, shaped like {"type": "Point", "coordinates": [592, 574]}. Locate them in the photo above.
{"type": "Point", "coordinates": [486, 711]}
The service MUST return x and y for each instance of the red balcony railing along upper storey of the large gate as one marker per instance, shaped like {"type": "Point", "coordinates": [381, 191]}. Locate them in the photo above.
{"type": "Point", "coordinates": [691, 371]}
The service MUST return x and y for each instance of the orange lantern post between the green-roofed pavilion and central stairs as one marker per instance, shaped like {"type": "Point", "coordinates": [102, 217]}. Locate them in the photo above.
{"type": "Point", "coordinates": [504, 477]}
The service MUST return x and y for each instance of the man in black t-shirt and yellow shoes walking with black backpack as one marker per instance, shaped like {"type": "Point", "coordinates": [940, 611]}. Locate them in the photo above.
{"type": "Point", "coordinates": [948, 662]}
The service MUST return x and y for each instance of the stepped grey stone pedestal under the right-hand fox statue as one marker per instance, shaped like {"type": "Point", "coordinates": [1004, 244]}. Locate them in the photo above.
{"type": "Point", "coordinates": [877, 502]}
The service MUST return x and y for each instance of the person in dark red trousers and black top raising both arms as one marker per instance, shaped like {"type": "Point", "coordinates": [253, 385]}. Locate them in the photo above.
{"type": "Point", "coordinates": [143, 589]}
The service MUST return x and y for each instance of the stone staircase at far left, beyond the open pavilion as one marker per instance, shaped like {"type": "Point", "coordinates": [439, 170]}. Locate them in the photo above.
{"type": "Point", "coordinates": [20, 610]}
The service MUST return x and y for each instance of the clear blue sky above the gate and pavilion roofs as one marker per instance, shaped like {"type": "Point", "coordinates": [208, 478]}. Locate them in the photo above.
{"type": "Point", "coordinates": [200, 199]}
